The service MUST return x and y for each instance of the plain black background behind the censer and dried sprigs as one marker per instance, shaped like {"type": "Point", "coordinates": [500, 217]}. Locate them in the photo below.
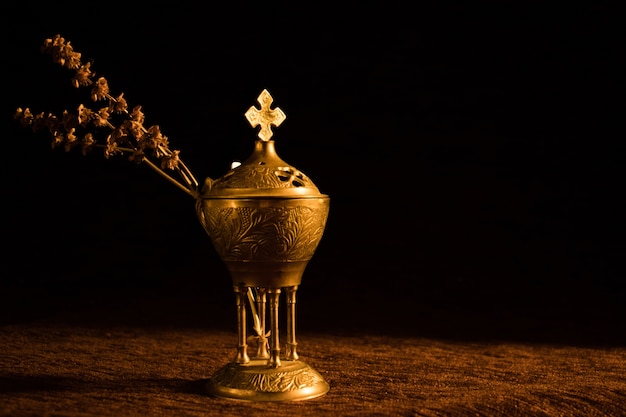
{"type": "Point", "coordinates": [474, 156]}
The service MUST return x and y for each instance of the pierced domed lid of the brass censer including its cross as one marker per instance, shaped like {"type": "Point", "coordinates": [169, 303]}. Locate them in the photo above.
{"type": "Point", "coordinates": [264, 173]}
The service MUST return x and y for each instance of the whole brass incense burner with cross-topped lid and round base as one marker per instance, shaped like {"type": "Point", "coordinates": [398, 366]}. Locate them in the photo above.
{"type": "Point", "coordinates": [265, 219]}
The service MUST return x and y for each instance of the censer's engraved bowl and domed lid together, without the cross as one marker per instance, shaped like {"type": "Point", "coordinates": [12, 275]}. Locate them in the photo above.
{"type": "Point", "coordinates": [265, 219]}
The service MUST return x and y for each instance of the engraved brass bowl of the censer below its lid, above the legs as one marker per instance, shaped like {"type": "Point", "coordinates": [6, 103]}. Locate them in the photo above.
{"type": "Point", "coordinates": [265, 242]}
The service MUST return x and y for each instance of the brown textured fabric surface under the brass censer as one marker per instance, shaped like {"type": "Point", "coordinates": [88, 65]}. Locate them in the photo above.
{"type": "Point", "coordinates": [53, 367]}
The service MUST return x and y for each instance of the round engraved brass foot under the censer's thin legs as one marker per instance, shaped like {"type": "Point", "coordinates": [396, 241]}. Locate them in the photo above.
{"type": "Point", "coordinates": [256, 381]}
